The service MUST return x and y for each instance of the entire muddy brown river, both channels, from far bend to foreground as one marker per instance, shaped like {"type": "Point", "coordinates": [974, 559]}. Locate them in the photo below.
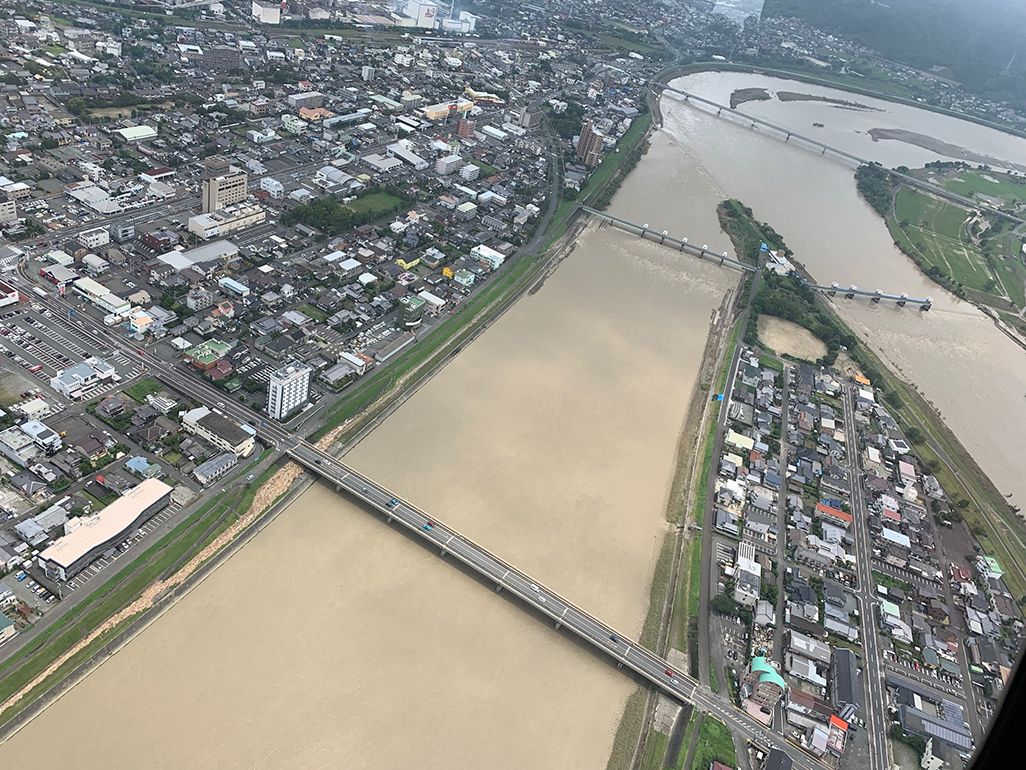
{"type": "Point", "coordinates": [331, 641]}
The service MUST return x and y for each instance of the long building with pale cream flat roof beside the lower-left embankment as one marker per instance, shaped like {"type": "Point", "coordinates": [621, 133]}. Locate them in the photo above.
{"type": "Point", "coordinates": [91, 536]}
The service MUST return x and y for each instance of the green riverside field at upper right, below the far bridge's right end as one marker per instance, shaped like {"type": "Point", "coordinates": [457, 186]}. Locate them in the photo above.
{"type": "Point", "coordinates": [934, 229]}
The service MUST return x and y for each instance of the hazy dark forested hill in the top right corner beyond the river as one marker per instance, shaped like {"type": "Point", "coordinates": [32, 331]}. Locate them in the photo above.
{"type": "Point", "coordinates": [977, 40]}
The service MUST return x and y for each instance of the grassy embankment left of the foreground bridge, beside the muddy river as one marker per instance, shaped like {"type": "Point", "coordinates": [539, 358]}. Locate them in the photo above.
{"type": "Point", "coordinates": [160, 561]}
